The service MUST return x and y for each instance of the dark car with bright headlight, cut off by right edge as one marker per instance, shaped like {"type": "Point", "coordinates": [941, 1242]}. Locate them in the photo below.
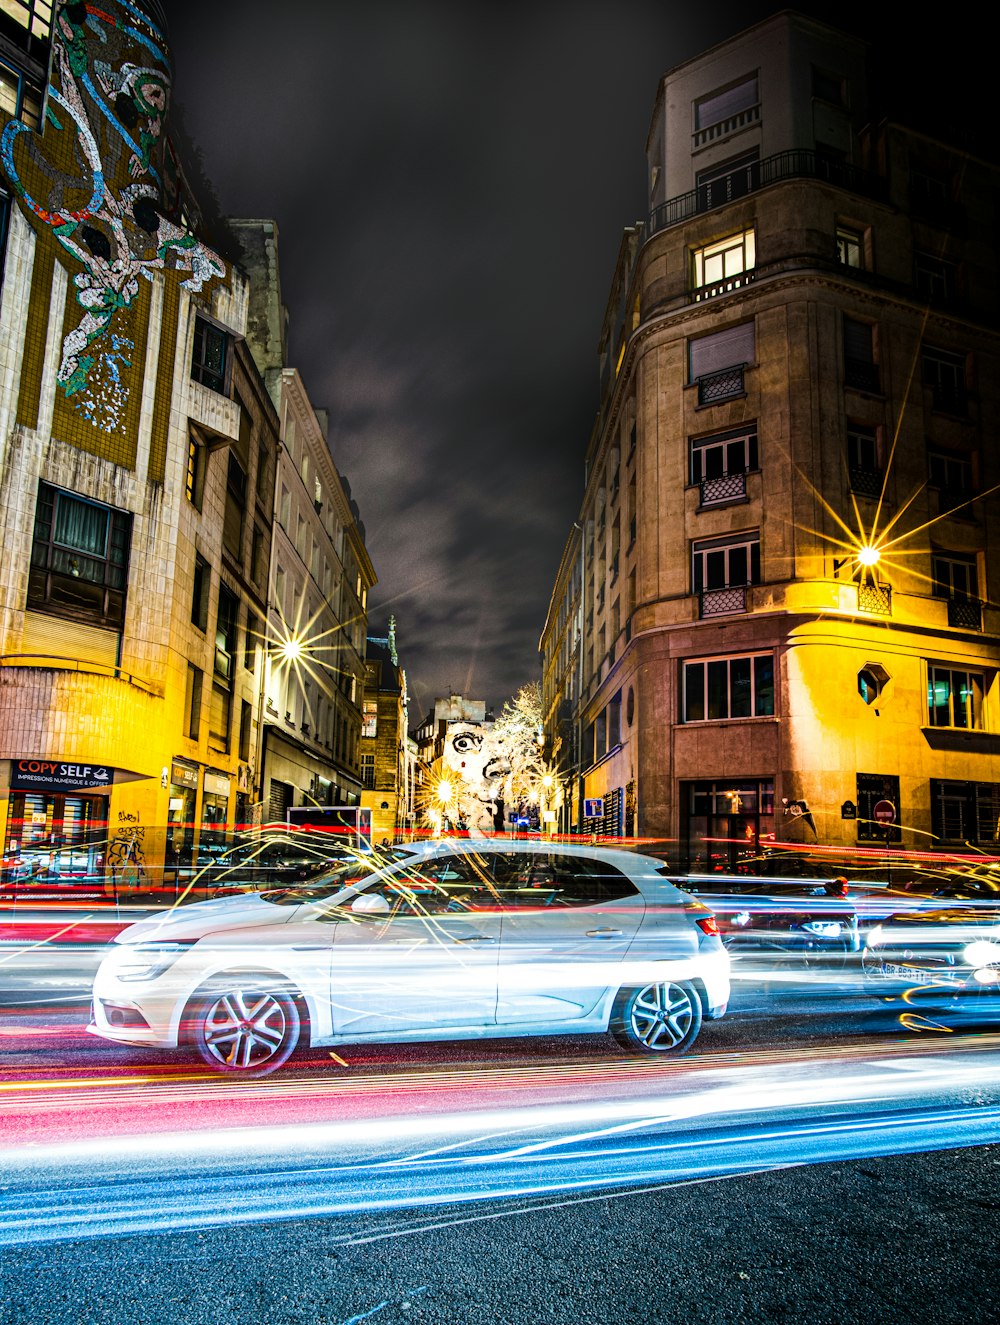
{"type": "Point", "coordinates": [948, 949]}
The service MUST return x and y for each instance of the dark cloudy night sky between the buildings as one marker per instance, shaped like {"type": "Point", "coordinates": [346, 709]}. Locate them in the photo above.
{"type": "Point", "coordinates": [451, 185]}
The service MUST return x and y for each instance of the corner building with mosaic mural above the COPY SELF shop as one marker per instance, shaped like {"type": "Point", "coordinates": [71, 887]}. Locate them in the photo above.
{"type": "Point", "coordinates": [137, 470]}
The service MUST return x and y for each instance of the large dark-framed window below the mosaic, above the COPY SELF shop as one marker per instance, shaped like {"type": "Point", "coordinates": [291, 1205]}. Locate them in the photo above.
{"type": "Point", "coordinates": [80, 558]}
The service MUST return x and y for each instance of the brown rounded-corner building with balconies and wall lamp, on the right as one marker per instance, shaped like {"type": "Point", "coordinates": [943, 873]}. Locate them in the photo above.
{"type": "Point", "coordinates": [790, 525]}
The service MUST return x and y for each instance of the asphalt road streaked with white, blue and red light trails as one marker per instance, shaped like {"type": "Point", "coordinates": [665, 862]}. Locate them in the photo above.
{"type": "Point", "coordinates": [813, 1160]}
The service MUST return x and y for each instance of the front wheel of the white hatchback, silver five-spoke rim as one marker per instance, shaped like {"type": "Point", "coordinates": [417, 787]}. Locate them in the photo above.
{"type": "Point", "coordinates": [244, 1028]}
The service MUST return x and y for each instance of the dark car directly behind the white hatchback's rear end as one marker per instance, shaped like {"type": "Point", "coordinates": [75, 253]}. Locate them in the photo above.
{"type": "Point", "coordinates": [813, 919]}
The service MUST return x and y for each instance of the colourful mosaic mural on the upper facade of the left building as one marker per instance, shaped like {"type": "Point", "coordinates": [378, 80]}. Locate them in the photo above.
{"type": "Point", "coordinates": [103, 181]}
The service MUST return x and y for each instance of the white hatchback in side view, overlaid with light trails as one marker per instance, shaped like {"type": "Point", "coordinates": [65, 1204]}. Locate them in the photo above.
{"type": "Point", "coordinates": [443, 941]}
